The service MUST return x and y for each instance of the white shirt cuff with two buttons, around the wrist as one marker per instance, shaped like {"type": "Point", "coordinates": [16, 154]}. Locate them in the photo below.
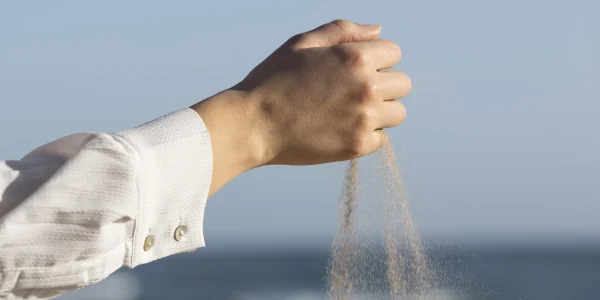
{"type": "Point", "coordinates": [175, 162]}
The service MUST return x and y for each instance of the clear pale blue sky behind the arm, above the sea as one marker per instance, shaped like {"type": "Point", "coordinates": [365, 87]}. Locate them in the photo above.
{"type": "Point", "coordinates": [500, 143]}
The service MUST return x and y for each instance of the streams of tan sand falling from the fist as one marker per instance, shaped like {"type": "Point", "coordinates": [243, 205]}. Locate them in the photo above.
{"type": "Point", "coordinates": [407, 270]}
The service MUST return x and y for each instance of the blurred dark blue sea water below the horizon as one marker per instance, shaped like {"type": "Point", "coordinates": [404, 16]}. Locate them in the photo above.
{"type": "Point", "coordinates": [528, 274]}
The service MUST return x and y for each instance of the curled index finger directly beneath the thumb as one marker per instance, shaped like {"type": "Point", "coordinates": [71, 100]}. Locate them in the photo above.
{"type": "Point", "coordinates": [380, 54]}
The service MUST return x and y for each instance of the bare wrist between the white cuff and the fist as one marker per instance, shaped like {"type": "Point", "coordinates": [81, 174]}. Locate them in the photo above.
{"type": "Point", "coordinates": [236, 130]}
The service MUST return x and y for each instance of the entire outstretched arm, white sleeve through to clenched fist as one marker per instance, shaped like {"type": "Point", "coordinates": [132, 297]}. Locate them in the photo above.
{"type": "Point", "coordinates": [77, 209]}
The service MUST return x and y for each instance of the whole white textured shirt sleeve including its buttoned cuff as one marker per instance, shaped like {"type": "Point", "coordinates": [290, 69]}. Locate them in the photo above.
{"type": "Point", "coordinates": [77, 209]}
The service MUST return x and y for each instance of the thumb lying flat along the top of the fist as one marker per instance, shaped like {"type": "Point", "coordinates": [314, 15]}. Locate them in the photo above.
{"type": "Point", "coordinates": [338, 32]}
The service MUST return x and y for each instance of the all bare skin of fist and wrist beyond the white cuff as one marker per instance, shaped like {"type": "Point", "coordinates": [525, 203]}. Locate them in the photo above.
{"type": "Point", "coordinates": [323, 96]}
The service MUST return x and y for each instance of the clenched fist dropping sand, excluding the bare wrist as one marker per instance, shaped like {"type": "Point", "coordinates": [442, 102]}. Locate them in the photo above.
{"type": "Point", "coordinates": [321, 95]}
